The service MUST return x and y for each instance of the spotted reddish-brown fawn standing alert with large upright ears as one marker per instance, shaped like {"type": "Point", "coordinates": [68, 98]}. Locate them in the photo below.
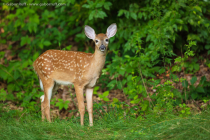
{"type": "Point", "coordinates": [56, 67]}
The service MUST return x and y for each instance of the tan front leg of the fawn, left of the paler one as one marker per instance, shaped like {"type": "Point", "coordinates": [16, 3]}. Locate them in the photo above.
{"type": "Point", "coordinates": [81, 105]}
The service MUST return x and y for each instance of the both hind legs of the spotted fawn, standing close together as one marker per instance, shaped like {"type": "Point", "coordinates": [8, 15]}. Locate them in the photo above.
{"type": "Point", "coordinates": [48, 85]}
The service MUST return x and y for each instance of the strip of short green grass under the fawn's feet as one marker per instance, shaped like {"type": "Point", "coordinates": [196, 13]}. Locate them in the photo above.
{"type": "Point", "coordinates": [26, 125]}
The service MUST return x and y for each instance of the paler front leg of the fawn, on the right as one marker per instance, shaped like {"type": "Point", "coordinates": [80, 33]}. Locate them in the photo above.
{"type": "Point", "coordinates": [89, 98]}
